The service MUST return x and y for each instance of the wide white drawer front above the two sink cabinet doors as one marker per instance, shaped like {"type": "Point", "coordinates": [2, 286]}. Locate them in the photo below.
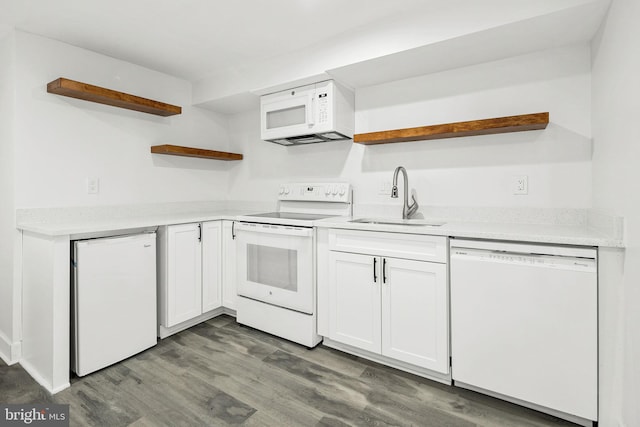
{"type": "Point", "coordinates": [399, 245]}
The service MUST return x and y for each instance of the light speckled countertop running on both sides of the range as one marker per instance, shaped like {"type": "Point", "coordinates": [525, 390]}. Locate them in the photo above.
{"type": "Point", "coordinates": [79, 222]}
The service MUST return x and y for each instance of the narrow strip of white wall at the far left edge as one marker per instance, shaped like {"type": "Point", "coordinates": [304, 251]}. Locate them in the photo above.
{"type": "Point", "coordinates": [7, 210]}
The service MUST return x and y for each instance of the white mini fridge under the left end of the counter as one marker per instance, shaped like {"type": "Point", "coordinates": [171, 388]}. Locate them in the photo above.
{"type": "Point", "coordinates": [114, 300]}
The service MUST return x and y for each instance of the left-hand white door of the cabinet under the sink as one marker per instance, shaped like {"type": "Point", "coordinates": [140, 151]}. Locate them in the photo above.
{"type": "Point", "coordinates": [354, 300]}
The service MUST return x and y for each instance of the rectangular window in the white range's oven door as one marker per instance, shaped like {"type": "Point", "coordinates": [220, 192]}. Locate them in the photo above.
{"type": "Point", "coordinates": [272, 266]}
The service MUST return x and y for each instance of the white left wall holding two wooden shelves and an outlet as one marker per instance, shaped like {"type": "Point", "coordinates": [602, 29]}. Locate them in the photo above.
{"type": "Point", "coordinates": [61, 141]}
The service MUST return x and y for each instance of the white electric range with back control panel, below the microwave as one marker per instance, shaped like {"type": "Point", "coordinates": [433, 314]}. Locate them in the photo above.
{"type": "Point", "coordinates": [276, 260]}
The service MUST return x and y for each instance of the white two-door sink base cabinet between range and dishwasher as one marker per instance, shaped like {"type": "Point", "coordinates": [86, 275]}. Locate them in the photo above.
{"type": "Point", "coordinates": [382, 304]}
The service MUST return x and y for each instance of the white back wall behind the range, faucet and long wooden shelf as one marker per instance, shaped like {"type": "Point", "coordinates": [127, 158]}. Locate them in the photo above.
{"type": "Point", "coordinates": [472, 171]}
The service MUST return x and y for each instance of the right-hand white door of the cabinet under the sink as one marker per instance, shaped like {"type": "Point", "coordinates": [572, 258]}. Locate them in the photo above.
{"type": "Point", "coordinates": [414, 313]}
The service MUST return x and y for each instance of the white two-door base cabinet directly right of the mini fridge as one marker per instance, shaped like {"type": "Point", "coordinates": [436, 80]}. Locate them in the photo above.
{"type": "Point", "coordinates": [189, 274]}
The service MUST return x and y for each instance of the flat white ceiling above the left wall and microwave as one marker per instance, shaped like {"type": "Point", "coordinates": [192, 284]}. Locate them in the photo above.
{"type": "Point", "coordinates": [196, 38]}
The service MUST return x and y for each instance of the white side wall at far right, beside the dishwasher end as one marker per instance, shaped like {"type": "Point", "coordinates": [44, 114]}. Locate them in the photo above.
{"type": "Point", "coordinates": [616, 176]}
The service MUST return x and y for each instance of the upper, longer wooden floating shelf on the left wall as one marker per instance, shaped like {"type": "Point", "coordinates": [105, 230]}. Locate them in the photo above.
{"type": "Point", "coordinates": [87, 92]}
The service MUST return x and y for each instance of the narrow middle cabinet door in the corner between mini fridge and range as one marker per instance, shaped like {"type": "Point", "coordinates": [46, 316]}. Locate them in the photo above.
{"type": "Point", "coordinates": [211, 265]}
